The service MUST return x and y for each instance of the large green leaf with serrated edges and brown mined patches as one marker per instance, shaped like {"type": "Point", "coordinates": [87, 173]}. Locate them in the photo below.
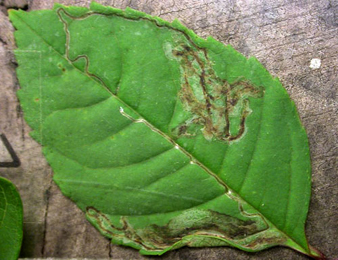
{"type": "Point", "coordinates": [164, 139]}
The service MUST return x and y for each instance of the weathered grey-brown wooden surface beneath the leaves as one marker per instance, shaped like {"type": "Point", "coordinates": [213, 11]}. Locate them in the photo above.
{"type": "Point", "coordinates": [284, 35]}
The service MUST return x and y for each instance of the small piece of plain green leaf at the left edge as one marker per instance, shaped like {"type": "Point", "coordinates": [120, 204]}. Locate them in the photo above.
{"type": "Point", "coordinates": [11, 220]}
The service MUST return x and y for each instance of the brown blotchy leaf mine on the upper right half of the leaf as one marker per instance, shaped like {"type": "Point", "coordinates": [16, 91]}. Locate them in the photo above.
{"type": "Point", "coordinates": [214, 104]}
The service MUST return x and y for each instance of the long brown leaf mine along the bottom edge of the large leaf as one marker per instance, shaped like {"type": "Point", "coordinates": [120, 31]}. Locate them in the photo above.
{"type": "Point", "coordinates": [194, 227]}
